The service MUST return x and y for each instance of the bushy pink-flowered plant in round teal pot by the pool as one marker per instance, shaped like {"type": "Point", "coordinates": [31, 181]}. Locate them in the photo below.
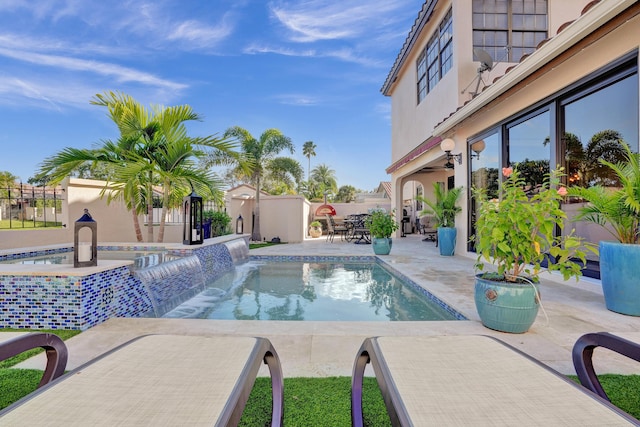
{"type": "Point", "coordinates": [517, 234]}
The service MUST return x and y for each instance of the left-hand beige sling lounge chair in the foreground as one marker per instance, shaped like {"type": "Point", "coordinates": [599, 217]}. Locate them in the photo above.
{"type": "Point", "coordinates": [157, 380]}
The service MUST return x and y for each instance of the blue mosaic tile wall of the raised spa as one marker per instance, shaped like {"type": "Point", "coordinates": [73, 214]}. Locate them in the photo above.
{"type": "Point", "coordinates": [80, 302]}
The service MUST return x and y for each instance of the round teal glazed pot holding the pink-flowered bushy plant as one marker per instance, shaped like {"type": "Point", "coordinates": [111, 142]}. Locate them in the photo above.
{"type": "Point", "coordinates": [505, 306]}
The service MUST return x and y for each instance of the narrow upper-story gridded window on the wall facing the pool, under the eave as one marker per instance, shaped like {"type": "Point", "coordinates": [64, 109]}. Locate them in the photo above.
{"type": "Point", "coordinates": [437, 57]}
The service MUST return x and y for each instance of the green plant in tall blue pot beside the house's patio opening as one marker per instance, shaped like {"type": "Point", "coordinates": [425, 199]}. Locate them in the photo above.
{"type": "Point", "coordinates": [445, 208]}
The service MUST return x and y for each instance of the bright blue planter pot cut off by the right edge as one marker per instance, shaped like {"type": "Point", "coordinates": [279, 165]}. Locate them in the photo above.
{"type": "Point", "coordinates": [619, 274]}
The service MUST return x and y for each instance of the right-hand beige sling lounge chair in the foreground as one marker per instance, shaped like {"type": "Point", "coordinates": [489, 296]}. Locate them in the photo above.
{"type": "Point", "coordinates": [472, 380]}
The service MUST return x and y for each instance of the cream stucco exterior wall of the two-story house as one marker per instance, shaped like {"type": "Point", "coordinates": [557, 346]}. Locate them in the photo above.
{"type": "Point", "coordinates": [567, 64]}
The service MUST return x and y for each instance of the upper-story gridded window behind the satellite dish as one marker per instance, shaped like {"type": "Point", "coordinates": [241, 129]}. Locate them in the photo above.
{"type": "Point", "coordinates": [508, 29]}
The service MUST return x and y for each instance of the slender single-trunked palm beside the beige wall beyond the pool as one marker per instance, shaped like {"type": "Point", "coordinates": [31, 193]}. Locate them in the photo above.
{"type": "Point", "coordinates": [257, 154]}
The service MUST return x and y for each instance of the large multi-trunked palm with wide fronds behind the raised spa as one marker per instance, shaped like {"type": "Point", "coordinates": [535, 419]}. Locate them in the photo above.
{"type": "Point", "coordinates": [152, 153]}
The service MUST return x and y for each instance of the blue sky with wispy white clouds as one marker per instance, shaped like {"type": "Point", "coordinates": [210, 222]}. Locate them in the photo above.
{"type": "Point", "coordinates": [312, 69]}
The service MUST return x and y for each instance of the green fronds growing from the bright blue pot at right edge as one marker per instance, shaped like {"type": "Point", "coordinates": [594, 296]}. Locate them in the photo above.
{"type": "Point", "coordinates": [618, 207]}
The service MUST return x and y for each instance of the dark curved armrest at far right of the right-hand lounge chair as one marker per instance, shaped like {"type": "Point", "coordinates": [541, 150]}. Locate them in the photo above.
{"type": "Point", "coordinates": [583, 356]}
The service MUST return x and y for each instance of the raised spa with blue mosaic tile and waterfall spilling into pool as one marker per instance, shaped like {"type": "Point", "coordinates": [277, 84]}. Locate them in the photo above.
{"type": "Point", "coordinates": [59, 296]}
